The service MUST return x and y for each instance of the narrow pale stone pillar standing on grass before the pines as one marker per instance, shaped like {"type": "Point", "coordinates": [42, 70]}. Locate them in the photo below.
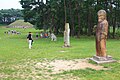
{"type": "Point", "coordinates": [67, 36]}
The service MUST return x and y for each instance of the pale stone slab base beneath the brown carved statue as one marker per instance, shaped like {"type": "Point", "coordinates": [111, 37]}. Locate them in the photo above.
{"type": "Point", "coordinates": [100, 60]}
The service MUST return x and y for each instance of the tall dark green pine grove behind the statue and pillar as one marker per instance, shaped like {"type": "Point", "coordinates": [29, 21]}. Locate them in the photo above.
{"type": "Point", "coordinates": [80, 14]}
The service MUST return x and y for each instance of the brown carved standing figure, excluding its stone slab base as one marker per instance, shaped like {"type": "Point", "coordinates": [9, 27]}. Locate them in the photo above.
{"type": "Point", "coordinates": [101, 34]}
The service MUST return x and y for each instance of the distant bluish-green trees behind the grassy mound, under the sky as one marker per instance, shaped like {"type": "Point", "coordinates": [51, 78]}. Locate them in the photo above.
{"type": "Point", "coordinates": [9, 15]}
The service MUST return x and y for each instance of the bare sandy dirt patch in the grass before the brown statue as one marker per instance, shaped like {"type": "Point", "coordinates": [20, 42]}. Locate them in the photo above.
{"type": "Point", "coordinates": [58, 66]}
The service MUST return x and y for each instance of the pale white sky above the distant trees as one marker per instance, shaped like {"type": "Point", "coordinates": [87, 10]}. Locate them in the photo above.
{"type": "Point", "coordinates": [8, 4]}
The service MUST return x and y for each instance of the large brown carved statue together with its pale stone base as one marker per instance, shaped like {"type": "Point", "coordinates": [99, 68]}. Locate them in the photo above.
{"type": "Point", "coordinates": [101, 36]}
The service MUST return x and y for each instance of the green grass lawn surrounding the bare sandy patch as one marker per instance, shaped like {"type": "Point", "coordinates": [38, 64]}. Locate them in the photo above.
{"type": "Point", "coordinates": [17, 61]}
